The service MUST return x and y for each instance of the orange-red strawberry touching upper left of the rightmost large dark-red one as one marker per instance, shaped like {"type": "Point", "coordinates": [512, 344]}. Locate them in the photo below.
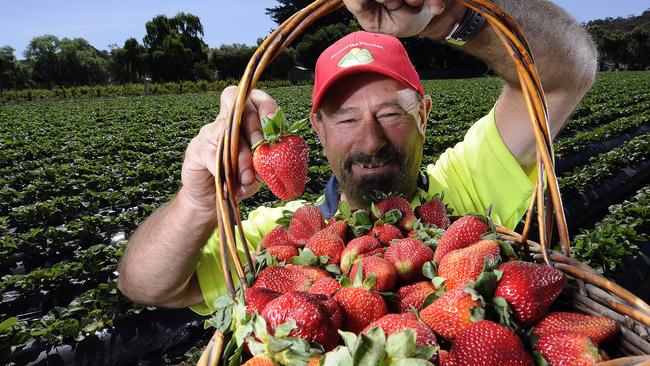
{"type": "Point", "coordinates": [460, 266]}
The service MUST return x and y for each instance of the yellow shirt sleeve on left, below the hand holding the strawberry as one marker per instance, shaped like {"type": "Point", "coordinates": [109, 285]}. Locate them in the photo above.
{"type": "Point", "coordinates": [209, 271]}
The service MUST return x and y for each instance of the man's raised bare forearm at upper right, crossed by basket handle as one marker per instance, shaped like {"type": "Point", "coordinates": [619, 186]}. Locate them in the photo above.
{"type": "Point", "coordinates": [562, 50]}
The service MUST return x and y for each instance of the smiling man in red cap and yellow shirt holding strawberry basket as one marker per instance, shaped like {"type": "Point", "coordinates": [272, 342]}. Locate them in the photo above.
{"type": "Point", "coordinates": [370, 113]}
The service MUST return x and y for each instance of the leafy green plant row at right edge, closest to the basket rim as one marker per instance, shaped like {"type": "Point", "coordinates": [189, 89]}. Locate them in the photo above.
{"type": "Point", "coordinates": [617, 237]}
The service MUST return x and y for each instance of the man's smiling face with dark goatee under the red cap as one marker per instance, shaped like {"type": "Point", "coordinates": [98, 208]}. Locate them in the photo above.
{"type": "Point", "coordinates": [372, 131]}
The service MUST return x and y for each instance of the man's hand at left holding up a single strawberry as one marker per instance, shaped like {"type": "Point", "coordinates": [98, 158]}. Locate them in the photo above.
{"type": "Point", "coordinates": [198, 169]}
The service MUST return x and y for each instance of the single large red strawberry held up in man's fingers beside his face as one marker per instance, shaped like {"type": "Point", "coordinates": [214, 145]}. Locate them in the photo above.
{"type": "Point", "coordinates": [281, 157]}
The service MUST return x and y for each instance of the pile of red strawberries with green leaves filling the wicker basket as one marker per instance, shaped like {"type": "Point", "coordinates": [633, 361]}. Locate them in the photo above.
{"type": "Point", "coordinates": [394, 284]}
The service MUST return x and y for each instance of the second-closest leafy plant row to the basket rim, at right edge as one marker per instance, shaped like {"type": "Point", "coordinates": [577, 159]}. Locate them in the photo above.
{"type": "Point", "coordinates": [606, 165]}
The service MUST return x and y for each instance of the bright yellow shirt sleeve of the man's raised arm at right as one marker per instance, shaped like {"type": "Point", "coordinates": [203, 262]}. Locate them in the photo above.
{"type": "Point", "coordinates": [481, 171]}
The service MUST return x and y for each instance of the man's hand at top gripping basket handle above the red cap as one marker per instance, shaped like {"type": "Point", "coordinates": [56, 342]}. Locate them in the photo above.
{"type": "Point", "coordinates": [401, 18]}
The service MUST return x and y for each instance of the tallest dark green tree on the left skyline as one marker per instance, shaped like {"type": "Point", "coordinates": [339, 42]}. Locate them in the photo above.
{"type": "Point", "coordinates": [175, 47]}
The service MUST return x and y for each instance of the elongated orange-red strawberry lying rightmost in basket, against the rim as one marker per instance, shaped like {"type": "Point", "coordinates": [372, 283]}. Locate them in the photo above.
{"type": "Point", "coordinates": [597, 328]}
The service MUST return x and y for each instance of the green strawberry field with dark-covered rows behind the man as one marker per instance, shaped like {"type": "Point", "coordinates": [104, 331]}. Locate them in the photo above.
{"type": "Point", "coordinates": [77, 176]}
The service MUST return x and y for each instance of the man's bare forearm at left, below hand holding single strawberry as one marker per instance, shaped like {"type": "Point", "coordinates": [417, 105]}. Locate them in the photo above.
{"type": "Point", "coordinates": [162, 254]}
